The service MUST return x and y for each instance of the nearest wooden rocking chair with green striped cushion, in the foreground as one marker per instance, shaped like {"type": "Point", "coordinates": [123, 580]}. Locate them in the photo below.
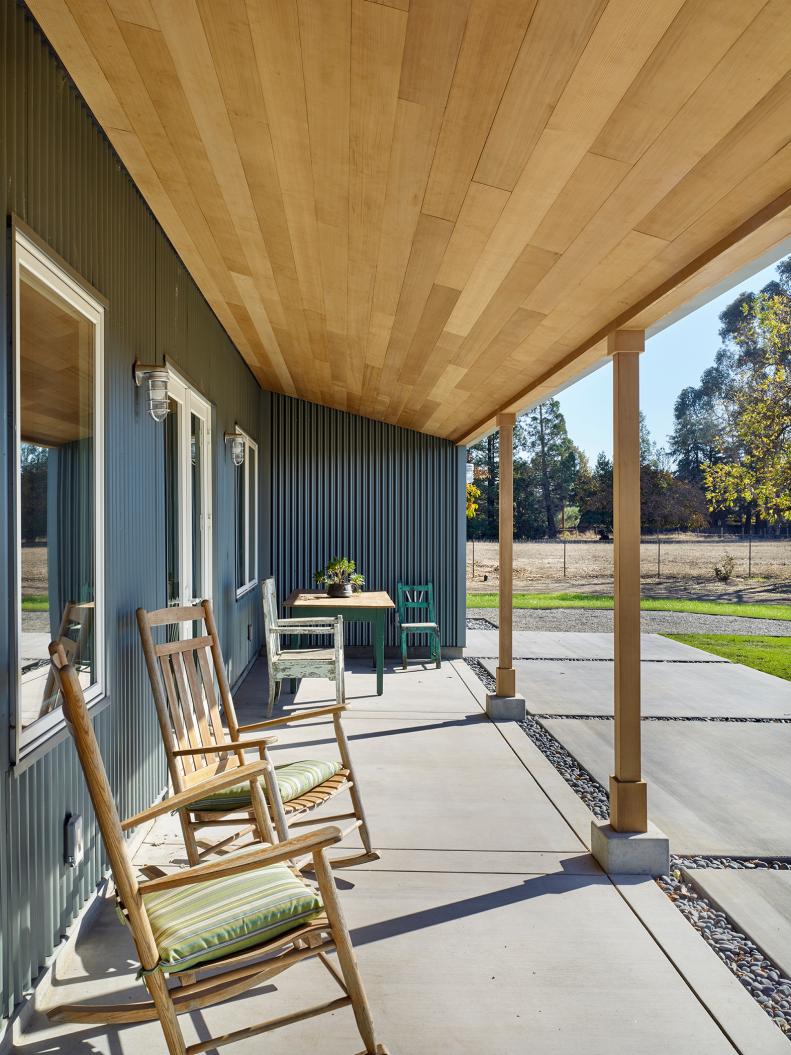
{"type": "Point", "coordinates": [221, 928]}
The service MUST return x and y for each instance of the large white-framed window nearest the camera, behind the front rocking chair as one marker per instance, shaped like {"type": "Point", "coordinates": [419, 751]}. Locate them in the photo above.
{"type": "Point", "coordinates": [59, 431]}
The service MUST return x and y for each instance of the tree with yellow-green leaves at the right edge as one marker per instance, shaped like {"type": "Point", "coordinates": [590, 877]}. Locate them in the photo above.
{"type": "Point", "coordinates": [755, 467]}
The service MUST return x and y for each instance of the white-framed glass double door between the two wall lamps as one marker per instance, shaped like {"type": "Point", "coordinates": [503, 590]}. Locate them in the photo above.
{"type": "Point", "coordinates": [188, 495]}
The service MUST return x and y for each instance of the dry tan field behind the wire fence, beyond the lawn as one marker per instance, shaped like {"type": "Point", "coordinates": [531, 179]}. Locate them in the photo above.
{"type": "Point", "coordinates": [681, 566]}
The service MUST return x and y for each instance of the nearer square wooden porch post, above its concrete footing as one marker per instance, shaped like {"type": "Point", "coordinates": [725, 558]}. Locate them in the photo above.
{"type": "Point", "coordinates": [628, 792]}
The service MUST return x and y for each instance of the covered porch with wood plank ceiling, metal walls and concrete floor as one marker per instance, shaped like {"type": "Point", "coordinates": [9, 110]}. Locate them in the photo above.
{"type": "Point", "coordinates": [360, 236]}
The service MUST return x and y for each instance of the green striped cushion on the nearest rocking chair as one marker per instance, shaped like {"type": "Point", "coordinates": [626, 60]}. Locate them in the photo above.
{"type": "Point", "coordinates": [206, 922]}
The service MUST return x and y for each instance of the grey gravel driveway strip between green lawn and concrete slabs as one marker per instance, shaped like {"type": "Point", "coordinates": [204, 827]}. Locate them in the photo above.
{"type": "Point", "coordinates": [593, 621]}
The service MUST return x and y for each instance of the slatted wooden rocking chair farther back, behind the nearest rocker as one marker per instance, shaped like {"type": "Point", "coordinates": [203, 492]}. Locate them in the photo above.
{"type": "Point", "coordinates": [199, 744]}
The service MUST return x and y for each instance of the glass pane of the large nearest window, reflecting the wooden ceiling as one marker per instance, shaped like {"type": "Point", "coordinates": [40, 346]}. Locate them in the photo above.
{"type": "Point", "coordinates": [56, 492]}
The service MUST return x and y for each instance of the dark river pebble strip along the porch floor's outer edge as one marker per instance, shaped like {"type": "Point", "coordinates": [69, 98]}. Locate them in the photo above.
{"type": "Point", "coordinates": [761, 976]}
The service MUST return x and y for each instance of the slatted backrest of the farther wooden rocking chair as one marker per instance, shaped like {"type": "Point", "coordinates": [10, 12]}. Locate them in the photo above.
{"type": "Point", "coordinates": [183, 679]}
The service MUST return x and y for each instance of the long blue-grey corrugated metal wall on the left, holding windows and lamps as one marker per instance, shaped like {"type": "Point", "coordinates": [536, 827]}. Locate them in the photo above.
{"type": "Point", "coordinates": [61, 177]}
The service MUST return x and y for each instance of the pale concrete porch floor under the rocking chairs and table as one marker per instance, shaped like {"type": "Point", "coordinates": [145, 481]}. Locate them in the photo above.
{"type": "Point", "coordinates": [486, 929]}
